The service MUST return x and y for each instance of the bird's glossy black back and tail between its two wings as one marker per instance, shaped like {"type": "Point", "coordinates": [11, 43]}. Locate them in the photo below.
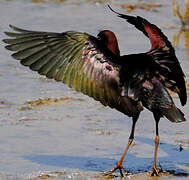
{"type": "Point", "coordinates": [142, 83]}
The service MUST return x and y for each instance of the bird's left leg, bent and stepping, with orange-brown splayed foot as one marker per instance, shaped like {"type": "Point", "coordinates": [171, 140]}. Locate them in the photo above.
{"type": "Point", "coordinates": [119, 164]}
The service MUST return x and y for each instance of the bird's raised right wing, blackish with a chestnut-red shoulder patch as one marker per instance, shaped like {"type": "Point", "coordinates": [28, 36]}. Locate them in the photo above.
{"type": "Point", "coordinates": [162, 53]}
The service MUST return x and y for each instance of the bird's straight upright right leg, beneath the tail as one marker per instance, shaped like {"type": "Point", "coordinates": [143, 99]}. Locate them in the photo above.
{"type": "Point", "coordinates": [155, 171]}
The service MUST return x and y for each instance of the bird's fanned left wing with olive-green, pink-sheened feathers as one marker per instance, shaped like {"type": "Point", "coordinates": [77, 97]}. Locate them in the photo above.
{"type": "Point", "coordinates": [74, 58]}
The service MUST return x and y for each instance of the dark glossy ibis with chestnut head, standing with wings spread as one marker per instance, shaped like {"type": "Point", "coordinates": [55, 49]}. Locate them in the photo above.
{"type": "Point", "coordinates": [94, 66]}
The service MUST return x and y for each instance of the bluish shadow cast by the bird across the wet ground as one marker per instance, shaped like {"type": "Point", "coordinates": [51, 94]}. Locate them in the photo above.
{"type": "Point", "coordinates": [173, 163]}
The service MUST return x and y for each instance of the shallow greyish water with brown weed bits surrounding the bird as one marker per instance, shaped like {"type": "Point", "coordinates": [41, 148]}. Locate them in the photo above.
{"type": "Point", "coordinates": [76, 137]}
